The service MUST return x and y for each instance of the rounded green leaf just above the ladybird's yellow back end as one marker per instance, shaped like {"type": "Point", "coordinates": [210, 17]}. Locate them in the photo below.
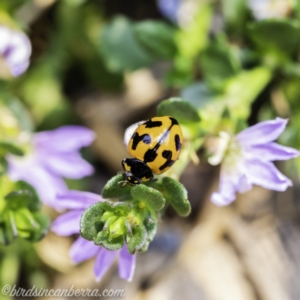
{"type": "Point", "coordinates": [181, 110]}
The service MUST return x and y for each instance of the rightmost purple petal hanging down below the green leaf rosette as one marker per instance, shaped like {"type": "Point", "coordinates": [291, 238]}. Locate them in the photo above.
{"type": "Point", "coordinates": [126, 264]}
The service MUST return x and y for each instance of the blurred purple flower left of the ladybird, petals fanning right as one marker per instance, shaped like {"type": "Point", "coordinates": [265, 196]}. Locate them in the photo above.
{"type": "Point", "coordinates": [54, 155]}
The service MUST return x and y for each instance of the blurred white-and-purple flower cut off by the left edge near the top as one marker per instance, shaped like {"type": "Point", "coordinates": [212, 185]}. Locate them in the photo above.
{"type": "Point", "coordinates": [15, 49]}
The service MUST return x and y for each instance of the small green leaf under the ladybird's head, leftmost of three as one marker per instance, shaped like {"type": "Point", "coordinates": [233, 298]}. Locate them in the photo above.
{"type": "Point", "coordinates": [113, 188]}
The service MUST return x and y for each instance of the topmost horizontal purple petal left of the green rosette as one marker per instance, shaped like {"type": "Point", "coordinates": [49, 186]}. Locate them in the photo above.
{"type": "Point", "coordinates": [77, 199]}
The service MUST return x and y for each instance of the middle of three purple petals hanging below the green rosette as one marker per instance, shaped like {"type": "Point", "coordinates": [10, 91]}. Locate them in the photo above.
{"type": "Point", "coordinates": [103, 262]}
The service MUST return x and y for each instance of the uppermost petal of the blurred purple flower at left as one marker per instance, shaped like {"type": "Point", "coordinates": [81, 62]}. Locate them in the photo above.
{"type": "Point", "coordinates": [64, 139]}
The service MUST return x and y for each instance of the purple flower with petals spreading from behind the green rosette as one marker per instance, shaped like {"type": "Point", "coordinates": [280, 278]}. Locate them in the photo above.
{"type": "Point", "coordinates": [81, 250]}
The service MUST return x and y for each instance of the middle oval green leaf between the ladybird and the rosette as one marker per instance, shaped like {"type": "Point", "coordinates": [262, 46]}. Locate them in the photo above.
{"type": "Point", "coordinates": [153, 198]}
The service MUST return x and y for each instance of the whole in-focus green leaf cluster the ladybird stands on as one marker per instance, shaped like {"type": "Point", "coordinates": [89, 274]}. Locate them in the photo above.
{"type": "Point", "coordinates": [133, 221]}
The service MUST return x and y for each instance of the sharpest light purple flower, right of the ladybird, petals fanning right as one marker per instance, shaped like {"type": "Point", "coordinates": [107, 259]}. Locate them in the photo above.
{"type": "Point", "coordinates": [247, 160]}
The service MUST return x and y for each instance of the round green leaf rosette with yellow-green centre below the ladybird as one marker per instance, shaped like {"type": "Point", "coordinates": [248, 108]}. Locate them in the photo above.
{"type": "Point", "coordinates": [110, 224]}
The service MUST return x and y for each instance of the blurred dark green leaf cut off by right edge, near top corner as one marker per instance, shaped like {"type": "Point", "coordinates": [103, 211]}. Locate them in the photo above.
{"type": "Point", "coordinates": [276, 35]}
